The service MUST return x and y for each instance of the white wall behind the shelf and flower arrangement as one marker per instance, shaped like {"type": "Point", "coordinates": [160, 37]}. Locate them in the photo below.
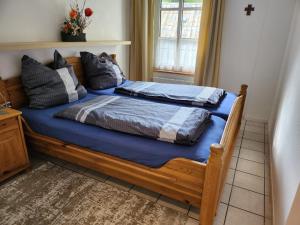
{"type": "Point", "coordinates": [40, 20]}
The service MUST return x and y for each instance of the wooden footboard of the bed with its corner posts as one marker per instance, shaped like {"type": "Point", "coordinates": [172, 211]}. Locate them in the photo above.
{"type": "Point", "coordinates": [219, 161]}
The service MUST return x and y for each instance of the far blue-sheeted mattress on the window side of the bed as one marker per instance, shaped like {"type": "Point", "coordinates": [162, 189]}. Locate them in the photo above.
{"type": "Point", "coordinates": [222, 110]}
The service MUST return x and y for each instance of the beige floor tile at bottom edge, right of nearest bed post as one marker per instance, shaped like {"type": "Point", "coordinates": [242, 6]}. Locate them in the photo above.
{"type": "Point", "coordinates": [240, 217]}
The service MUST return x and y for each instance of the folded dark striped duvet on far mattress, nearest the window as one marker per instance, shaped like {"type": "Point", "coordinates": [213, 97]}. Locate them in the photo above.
{"type": "Point", "coordinates": [177, 93]}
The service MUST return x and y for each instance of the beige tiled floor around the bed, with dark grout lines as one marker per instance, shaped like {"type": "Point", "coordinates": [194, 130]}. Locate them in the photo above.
{"type": "Point", "coordinates": [245, 199]}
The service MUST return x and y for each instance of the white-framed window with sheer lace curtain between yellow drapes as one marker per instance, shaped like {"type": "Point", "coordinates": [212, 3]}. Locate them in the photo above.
{"type": "Point", "coordinates": [177, 31]}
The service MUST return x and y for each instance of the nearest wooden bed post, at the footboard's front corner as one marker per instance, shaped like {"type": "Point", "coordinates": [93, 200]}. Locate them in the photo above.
{"type": "Point", "coordinates": [212, 181]}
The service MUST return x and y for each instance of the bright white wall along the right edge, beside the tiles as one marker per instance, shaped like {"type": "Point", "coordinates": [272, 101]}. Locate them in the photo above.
{"type": "Point", "coordinates": [284, 128]}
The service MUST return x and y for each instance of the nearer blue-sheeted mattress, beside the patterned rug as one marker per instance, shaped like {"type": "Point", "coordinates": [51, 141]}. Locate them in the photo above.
{"type": "Point", "coordinates": [137, 149]}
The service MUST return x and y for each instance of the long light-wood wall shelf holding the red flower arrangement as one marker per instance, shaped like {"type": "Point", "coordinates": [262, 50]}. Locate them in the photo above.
{"type": "Point", "coordinates": [58, 44]}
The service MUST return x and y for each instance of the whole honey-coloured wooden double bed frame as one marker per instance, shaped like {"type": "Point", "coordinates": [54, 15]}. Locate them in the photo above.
{"type": "Point", "coordinates": [192, 182]}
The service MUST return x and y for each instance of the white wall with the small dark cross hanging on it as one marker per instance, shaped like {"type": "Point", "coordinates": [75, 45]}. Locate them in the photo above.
{"type": "Point", "coordinates": [252, 50]}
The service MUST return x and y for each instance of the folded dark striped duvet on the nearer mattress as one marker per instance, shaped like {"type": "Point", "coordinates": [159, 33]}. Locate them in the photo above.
{"type": "Point", "coordinates": [175, 124]}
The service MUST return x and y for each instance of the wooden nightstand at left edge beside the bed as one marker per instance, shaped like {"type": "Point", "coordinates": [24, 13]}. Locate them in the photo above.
{"type": "Point", "coordinates": [13, 151]}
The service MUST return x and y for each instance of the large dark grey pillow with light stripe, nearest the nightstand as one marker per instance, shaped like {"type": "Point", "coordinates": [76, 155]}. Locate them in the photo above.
{"type": "Point", "coordinates": [46, 87]}
